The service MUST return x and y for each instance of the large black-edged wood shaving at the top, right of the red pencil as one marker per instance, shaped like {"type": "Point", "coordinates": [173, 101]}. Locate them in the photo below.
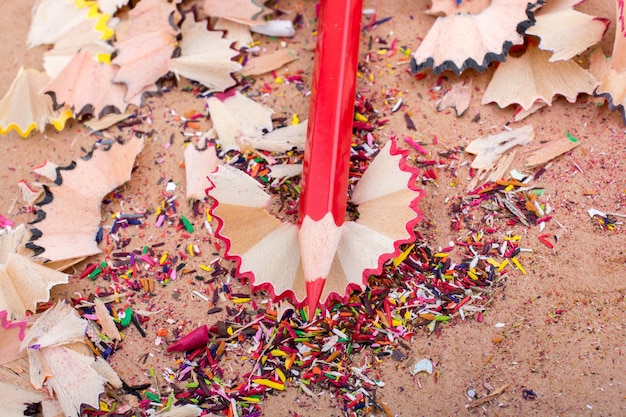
{"type": "Point", "coordinates": [473, 40]}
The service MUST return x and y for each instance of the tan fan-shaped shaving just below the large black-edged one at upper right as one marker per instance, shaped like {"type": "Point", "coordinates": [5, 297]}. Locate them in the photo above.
{"type": "Point", "coordinates": [532, 77]}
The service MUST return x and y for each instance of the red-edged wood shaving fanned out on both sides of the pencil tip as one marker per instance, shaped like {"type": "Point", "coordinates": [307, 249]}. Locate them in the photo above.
{"type": "Point", "coordinates": [268, 252]}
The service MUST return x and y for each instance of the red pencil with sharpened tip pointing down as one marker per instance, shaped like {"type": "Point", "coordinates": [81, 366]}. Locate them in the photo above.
{"type": "Point", "coordinates": [324, 196]}
